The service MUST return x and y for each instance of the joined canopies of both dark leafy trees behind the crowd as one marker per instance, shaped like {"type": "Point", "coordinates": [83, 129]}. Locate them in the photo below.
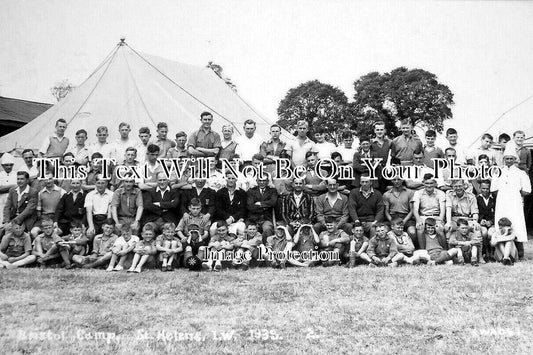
{"type": "Point", "coordinates": [413, 94]}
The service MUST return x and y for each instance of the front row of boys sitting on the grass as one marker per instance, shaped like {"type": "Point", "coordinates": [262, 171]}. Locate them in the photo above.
{"type": "Point", "coordinates": [196, 250]}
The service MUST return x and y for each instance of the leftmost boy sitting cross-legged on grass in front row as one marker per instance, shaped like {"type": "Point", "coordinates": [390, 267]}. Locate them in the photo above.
{"type": "Point", "coordinates": [15, 248]}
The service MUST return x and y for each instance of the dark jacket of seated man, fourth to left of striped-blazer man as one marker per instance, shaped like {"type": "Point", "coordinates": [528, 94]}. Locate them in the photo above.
{"type": "Point", "coordinates": [168, 210]}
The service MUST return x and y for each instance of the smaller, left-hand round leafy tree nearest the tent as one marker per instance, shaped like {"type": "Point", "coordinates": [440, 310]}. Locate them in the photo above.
{"type": "Point", "coordinates": [321, 105]}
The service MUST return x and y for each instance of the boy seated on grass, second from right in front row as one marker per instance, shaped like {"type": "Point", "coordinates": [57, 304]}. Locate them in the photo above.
{"type": "Point", "coordinates": [467, 241]}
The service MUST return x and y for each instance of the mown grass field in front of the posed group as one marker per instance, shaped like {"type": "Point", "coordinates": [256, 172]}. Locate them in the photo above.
{"type": "Point", "coordinates": [446, 309]}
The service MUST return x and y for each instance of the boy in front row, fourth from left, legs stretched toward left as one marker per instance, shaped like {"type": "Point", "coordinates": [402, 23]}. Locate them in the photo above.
{"type": "Point", "coordinates": [102, 245]}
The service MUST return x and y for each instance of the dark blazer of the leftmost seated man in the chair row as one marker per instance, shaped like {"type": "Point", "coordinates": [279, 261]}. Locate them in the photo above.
{"type": "Point", "coordinates": [23, 210]}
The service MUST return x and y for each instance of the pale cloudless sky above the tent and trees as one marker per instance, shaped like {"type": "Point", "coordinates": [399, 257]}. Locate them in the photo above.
{"type": "Point", "coordinates": [482, 50]}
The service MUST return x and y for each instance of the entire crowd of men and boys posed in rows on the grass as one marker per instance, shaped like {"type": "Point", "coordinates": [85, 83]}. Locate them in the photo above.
{"type": "Point", "coordinates": [232, 220]}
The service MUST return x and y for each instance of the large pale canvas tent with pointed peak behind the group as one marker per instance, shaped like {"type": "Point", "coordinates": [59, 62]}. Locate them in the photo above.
{"type": "Point", "coordinates": [141, 90]}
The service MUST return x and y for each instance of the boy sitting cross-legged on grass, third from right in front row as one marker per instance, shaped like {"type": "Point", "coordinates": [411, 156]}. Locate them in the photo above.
{"type": "Point", "coordinates": [434, 246]}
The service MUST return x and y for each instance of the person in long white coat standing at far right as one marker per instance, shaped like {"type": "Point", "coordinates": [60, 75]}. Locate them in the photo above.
{"type": "Point", "coordinates": [512, 185]}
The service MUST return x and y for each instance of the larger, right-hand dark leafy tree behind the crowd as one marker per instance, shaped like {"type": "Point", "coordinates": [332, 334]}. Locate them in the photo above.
{"type": "Point", "coordinates": [415, 94]}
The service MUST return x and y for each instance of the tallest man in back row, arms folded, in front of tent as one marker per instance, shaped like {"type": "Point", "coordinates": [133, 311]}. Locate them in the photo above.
{"type": "Point", "coordinates": [204, 142]}
